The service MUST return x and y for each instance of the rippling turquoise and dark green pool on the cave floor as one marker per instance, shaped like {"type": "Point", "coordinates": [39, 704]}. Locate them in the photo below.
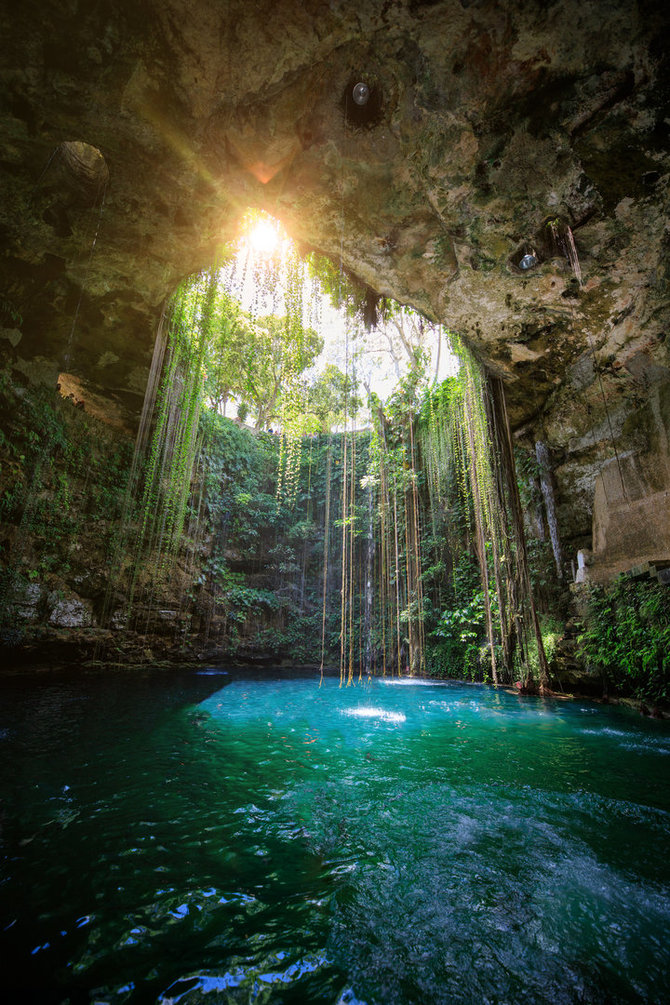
{"type": "Point", "coordinates": [202, 838]}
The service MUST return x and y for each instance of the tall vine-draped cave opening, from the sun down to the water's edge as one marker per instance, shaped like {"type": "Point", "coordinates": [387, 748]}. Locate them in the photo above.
{"type": "Point", "coordinates": [318, 490]}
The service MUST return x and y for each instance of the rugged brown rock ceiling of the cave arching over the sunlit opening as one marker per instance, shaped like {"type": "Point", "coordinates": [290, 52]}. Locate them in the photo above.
{"type": "Point", "coordinates": [135, 135]}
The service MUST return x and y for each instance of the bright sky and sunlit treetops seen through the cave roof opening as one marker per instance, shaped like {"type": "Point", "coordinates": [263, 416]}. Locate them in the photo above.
{"type": "Point", "coordinates": [298, 342]}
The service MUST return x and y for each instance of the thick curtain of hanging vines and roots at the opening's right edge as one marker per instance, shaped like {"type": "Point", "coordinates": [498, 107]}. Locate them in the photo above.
{"type": "Point", "coordinates": [475, 507]}
